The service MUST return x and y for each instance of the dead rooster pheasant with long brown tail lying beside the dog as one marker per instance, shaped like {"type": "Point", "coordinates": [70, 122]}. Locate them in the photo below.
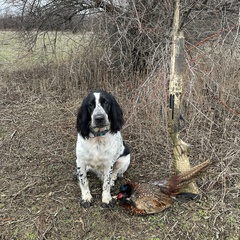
{"type": "Point", "coordinates": [155, 196]}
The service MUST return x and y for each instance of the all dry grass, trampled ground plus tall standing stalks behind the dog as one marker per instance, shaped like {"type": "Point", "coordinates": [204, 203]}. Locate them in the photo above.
{"type": "Point", "coordinates": [39, 200]}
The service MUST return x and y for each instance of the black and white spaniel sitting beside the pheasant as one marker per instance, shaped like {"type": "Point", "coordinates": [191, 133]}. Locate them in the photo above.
{"type": "Point", "coordinates": [100, 147]}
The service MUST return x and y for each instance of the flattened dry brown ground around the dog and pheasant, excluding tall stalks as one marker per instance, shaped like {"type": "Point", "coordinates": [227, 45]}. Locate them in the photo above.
{"type": "Point", "coordinates": [40, 200]}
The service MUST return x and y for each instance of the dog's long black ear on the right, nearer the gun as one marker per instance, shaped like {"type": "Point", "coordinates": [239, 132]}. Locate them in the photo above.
{"type": "Point", "coordinates": [115, 116]}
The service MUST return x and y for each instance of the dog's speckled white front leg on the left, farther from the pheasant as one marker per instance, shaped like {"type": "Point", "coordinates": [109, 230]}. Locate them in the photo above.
{"type": "Point", "coordinates": [83, 183]}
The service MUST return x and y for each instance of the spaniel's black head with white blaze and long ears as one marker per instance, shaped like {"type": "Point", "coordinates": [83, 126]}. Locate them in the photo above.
{"type": "Point", "coordinates": [99, 111]}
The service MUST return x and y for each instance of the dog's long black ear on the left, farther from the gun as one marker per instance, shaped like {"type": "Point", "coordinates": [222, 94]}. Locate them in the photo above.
{"type": "Point", "coordinates": [83, 120]}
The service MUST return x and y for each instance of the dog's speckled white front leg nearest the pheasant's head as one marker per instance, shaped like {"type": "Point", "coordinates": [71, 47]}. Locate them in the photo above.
{"type": "Point", "coordinates": [106, 195]}
